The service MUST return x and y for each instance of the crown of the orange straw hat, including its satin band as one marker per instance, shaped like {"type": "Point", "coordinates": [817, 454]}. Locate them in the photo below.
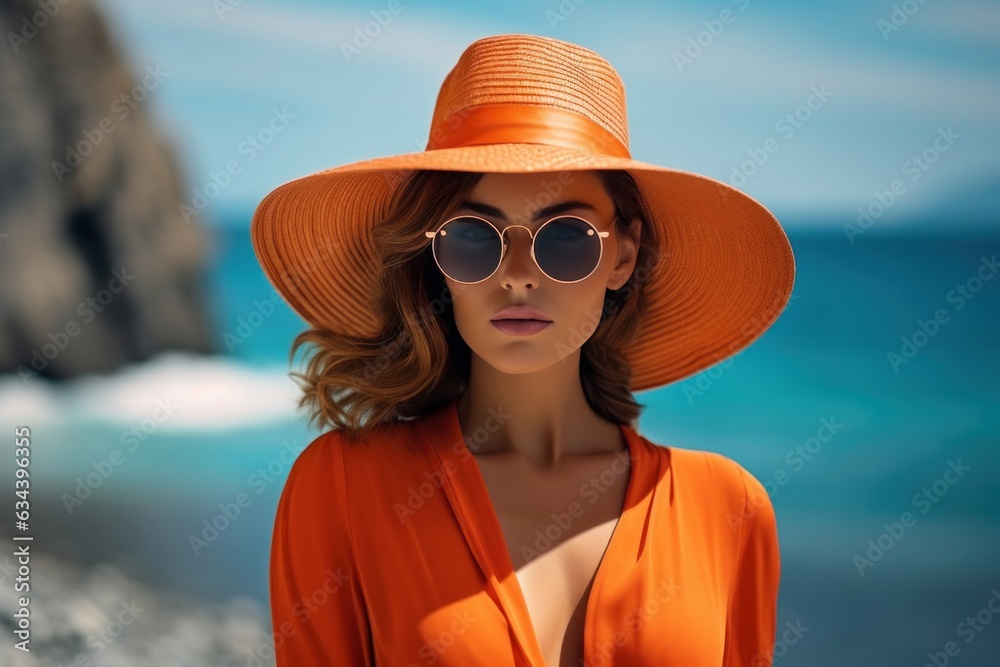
{"type": "Point", "coordinates": [564, 81]}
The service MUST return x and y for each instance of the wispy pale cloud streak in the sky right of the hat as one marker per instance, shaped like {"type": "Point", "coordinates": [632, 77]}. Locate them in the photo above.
{"type": "Point", "coordinates": [784, 60]}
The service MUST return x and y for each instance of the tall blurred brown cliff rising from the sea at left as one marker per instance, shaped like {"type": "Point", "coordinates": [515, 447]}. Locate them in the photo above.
{"type": "Point", "coordinates": [98, 267]}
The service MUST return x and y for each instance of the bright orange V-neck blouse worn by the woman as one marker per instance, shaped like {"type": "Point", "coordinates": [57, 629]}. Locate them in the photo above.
{"type": "Point", "coordinates": [390, 553]}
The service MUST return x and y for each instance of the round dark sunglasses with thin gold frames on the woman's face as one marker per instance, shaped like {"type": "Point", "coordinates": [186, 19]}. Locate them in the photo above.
{"type": "Point", "coordinates": [469, 249]}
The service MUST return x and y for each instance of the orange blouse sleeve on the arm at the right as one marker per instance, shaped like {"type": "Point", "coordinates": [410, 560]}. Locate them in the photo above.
{"type": "Point", "coordinates": [752, 619]}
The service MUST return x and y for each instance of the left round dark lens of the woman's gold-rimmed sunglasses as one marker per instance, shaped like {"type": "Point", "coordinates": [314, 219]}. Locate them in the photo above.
{"type": "Point", "coordinates": [468, 249]}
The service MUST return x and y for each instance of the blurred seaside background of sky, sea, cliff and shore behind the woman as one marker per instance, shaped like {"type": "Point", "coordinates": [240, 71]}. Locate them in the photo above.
{"type": "Point", "coordinates": [144, 348]}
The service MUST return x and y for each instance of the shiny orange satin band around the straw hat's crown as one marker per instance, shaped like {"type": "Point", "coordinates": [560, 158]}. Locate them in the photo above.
{"type": "Point", "coordinates": [528, 124]}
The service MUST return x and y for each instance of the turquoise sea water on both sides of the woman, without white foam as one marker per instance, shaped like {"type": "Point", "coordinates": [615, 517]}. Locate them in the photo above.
{"type": "Point", "coordinates": [846, 443]}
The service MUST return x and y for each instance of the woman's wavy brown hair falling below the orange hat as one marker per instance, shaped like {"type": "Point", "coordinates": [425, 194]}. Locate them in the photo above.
{"type": "Point", "coordinates": [418, 361]}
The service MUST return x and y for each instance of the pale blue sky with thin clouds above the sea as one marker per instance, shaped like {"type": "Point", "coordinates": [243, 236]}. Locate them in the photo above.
{"type": "Point", "coordinates": [889, 93]}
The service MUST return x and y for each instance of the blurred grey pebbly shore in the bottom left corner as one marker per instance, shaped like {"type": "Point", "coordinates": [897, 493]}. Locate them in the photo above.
{"type": "Point", "coordinates": [96, 615]}
